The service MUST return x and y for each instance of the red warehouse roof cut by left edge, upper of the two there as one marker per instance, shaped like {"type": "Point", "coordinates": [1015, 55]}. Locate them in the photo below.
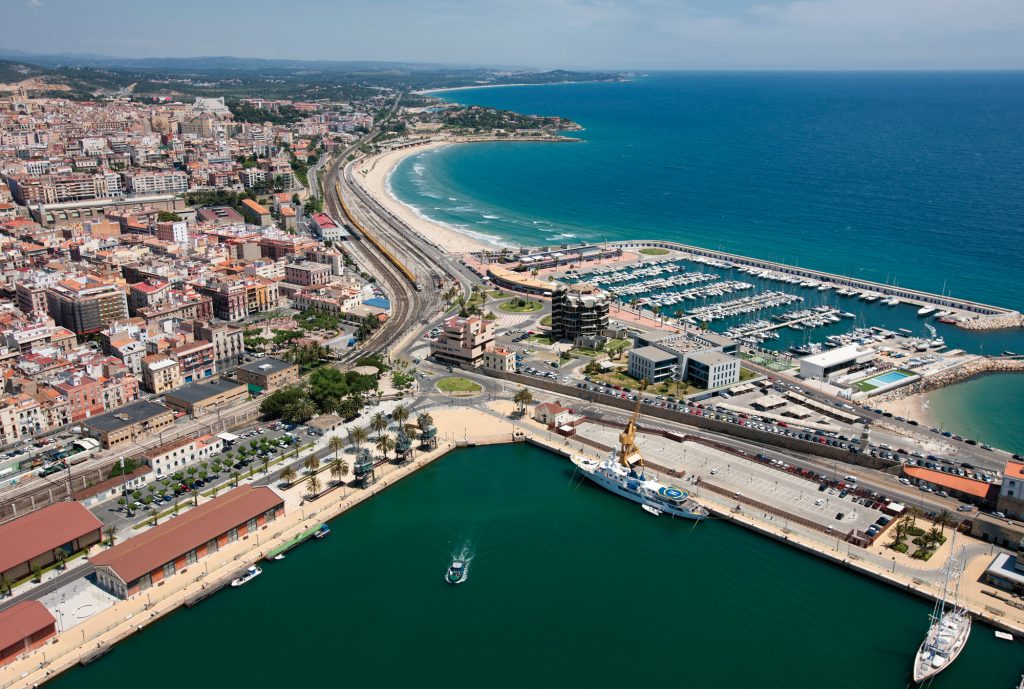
{"type": "Point", "coordinates": [42, 532]}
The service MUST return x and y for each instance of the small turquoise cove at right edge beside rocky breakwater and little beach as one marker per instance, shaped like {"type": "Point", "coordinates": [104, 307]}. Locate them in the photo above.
{"type": "Point", "coordinates": [989, 409]}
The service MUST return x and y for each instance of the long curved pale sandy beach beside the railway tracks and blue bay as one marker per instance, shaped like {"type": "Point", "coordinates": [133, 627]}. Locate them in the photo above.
{"type": "Point", "coordinates": [373, 176]}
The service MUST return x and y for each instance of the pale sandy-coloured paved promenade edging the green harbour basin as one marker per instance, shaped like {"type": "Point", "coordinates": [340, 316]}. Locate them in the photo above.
{"type": "Point", "coordinates": [462, 424]}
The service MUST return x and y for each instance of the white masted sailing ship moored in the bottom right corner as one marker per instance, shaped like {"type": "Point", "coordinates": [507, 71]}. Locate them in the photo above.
{"type": "Point", "coordinates": [950, 628]}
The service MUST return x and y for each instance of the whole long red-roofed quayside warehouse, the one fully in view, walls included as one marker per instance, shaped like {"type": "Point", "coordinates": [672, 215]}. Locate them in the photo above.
{"type": "Point", "coordinates": [153, 556]}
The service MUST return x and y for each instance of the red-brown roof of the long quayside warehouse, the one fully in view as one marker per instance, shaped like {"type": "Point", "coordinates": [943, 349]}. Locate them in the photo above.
{"type": "Point", "coordinates": [175, 538]}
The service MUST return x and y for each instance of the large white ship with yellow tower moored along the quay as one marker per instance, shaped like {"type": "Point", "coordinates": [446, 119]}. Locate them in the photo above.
{"type": "Point", "coordinates": [619, 475]}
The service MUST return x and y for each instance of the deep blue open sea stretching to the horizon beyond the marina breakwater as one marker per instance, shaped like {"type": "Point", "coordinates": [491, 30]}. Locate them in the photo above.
{"type": "Point", "coordinates": [916, 180]}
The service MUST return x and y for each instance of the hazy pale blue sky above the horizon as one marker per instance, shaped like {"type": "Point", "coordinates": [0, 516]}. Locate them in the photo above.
{"type": "Point", "coordinates": [570, 34]}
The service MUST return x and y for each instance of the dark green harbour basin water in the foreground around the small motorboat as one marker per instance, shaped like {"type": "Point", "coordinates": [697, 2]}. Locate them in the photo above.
{"type": "Point", "coordinates": [569, 587]}
